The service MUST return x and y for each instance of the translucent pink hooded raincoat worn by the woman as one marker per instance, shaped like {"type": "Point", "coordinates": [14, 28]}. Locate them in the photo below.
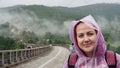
{"type": "Point", "coordinates": [98, 58]}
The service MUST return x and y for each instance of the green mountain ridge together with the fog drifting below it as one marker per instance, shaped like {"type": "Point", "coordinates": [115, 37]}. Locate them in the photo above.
{"type": "Point", "coordinates": [41, 19]}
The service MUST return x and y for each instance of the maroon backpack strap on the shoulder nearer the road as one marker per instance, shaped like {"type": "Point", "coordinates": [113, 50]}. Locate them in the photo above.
{"type": "Point", "coordinates": [72, 60]}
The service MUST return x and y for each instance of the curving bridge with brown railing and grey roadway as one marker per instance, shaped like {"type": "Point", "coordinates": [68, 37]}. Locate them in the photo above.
{"type": "Point", "coordinates": [39, 57]}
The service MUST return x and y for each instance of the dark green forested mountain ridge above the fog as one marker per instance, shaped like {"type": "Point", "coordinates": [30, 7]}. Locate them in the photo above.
{"type": "Point", "coordinates": [108, 11]}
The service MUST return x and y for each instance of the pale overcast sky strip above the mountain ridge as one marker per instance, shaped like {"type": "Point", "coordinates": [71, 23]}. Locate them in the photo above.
{"type": "Point", "coordinates": [66, 3]}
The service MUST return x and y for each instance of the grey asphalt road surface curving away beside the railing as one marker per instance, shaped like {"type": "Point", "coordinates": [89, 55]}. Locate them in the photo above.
{"type": "Point", "coordinates": [55, 59]}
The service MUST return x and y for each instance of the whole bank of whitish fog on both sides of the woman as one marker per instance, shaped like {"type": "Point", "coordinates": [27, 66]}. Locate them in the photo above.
{"type": "Point", "coordinates": [27, 21]}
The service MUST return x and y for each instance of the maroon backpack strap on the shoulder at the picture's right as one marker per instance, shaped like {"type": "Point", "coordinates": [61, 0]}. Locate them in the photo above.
{"type": "Point", "coordinates": [110, 57]}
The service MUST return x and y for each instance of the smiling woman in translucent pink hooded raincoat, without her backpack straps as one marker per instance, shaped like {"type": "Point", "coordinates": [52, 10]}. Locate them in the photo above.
{"type": "Point", "coordinates": [89, 44]}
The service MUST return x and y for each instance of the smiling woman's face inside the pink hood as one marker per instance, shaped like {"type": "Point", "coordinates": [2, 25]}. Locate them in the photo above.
{"type": "Point", "coordinates": [86, 38]}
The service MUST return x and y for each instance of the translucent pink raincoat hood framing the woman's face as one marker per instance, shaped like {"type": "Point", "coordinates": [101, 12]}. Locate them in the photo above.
{"type": "Point", "coordinates": [100, 48]}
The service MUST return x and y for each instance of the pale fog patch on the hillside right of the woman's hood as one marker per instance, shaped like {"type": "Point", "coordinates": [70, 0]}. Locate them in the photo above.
{"type": "Point", "coordinates": [111, 27]}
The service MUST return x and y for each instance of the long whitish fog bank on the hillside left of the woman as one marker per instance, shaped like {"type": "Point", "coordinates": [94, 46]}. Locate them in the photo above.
{"type": "Point", "coordinates": [30, 22]}
